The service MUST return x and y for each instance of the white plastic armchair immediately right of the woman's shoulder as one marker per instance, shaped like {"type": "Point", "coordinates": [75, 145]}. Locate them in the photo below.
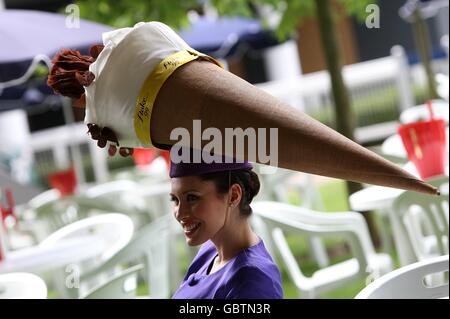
{"type": "Point", "coordinates": [281, 218]}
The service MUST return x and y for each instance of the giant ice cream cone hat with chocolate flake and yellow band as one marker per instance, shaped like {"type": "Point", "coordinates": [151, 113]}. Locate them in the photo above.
{"type": "Point", "coordinates": [147, 81]}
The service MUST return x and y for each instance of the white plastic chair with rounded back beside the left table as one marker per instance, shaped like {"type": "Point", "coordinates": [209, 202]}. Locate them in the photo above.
{"type": "Point", "coordinates": [115, 230]}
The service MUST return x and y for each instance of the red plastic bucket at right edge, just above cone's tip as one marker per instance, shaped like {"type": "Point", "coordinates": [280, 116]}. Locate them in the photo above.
{"type": "Point", "coordinates": [426, 146]}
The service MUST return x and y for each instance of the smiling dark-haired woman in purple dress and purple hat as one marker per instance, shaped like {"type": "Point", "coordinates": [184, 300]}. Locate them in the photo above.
{"type": "Point", "coordinates": [211, 203]}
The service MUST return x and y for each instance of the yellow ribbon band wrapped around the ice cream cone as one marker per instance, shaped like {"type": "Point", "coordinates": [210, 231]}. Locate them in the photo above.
{"type": "Point", "coordinates": [152, 85]}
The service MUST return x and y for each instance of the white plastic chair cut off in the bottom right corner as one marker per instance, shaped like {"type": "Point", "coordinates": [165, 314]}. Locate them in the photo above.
{"type": "Point", "coordinates": [409, 282]}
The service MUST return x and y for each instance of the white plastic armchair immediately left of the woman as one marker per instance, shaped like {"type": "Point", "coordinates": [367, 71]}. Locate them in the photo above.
{"type": "Point", "coordinates": [149, 246]}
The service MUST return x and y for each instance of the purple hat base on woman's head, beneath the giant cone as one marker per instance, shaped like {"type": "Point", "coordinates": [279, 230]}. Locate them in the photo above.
{"type": "Point", "coordinates": [199, 166]}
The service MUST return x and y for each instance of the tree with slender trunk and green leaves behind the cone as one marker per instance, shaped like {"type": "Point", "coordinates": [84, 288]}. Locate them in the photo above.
{"type": "Point", "coordinates": [124, 13]}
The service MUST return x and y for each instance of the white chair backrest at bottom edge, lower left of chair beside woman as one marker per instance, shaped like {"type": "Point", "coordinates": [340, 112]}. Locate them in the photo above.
{"type": "Point", "coordinates": [120, 286]}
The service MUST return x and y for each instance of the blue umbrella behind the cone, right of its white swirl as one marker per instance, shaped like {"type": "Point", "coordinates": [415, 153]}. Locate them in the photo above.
{"type": "Point", "coordinates": [221, 36]}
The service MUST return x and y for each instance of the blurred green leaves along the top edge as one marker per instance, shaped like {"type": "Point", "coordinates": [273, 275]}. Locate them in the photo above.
{"type": "Point", "coordinates": [124, 13]}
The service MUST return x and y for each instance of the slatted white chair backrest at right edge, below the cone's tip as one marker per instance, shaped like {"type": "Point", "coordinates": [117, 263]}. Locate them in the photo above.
{"type": "Point", "coordinates": [421, 216]}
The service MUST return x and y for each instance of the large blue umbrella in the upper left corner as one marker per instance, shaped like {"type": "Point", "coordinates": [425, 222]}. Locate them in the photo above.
{"type": "Point", "coordinates": [26, 35]}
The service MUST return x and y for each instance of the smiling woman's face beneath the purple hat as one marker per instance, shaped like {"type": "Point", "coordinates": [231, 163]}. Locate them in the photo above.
{"type": "Point", "coordinates": [198, 207]}
